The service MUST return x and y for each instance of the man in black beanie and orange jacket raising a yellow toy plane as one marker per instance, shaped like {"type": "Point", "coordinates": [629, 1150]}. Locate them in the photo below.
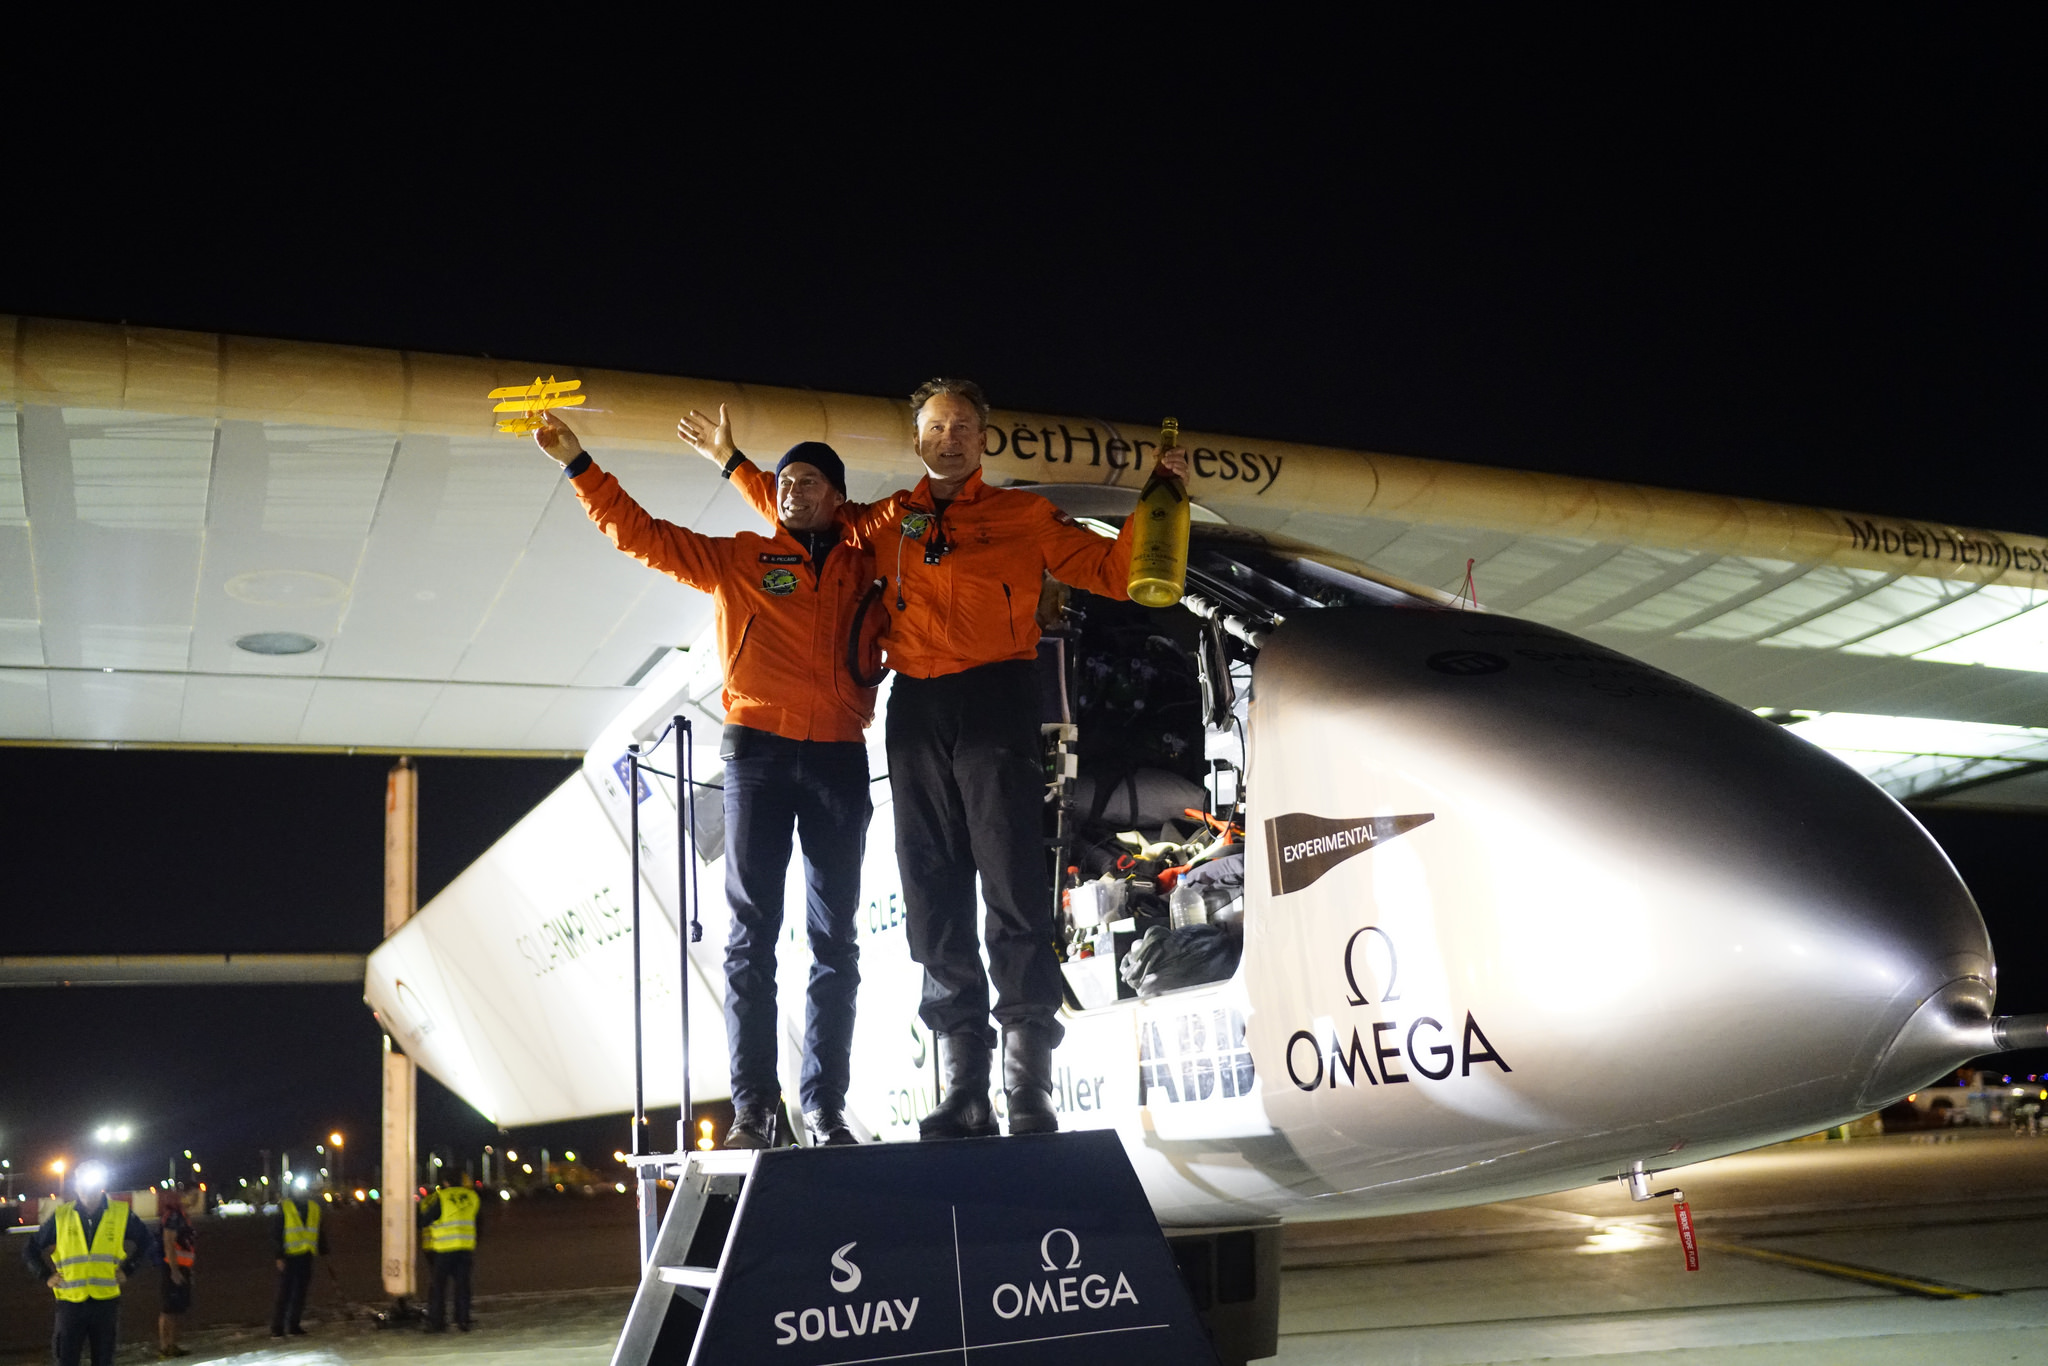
{"type": "Point", "coordinates": [794, 757]}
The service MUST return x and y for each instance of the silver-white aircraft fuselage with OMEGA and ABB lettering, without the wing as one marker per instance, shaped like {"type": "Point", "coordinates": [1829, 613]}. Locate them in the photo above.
{"type": "Point", "coordinates": [1519, 914]}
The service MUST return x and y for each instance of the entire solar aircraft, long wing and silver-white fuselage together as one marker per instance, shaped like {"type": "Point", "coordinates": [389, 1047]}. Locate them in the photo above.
{"type": "Point", "coordinates": [1529, 898]}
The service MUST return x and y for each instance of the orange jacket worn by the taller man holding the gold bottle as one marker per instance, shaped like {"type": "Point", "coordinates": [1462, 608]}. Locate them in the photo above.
{"type": "Point", "coordinates": [980, 603]}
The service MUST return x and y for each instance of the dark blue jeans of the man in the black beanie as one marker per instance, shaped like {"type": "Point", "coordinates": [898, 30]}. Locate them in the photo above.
{"type": "Point", "coordinates": [820, 789]}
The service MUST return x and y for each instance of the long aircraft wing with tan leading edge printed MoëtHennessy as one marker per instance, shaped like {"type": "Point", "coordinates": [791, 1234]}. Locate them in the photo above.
{"type": "Point", "coordinates": [241, 544]}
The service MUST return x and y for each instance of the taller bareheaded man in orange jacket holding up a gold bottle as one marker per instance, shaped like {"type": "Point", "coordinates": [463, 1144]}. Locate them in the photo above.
{"type": "Point", "coordinates": [966, 564]}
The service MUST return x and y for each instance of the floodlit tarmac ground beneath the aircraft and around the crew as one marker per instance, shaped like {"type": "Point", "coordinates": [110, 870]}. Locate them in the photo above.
{"type": "Point", "coordinates": [1871, 1252]}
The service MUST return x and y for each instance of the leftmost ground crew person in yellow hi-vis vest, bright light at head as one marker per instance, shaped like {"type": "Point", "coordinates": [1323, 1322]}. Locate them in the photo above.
{"type": "Point", "coordinates": [83, 1254]}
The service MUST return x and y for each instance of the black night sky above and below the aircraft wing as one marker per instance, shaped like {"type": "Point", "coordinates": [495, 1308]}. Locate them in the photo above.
{"type": "Point", "coordinates": [1793, 263]}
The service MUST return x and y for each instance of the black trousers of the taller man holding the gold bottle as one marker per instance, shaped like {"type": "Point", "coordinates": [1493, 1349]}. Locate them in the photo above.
{"type": "Point", "coordinates": [970, 798]}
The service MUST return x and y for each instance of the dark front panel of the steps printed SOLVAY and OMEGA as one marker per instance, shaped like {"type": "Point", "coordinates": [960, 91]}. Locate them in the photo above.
{"type": "Point", "coordinates": [1027, 1252]}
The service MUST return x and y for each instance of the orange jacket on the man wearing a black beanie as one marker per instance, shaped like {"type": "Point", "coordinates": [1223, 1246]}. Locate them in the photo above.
{"type": "Point", "coordinates": [783, 626]}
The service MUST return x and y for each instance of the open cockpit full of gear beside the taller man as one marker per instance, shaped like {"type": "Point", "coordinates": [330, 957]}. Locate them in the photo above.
{"type": "Point", "coordinates": [1148, 761]}
